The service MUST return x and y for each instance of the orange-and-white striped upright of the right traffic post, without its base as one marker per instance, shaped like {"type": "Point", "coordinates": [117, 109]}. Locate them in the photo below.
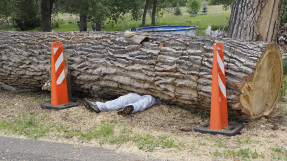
{"type": "Point", "coordinates": [218, 113]}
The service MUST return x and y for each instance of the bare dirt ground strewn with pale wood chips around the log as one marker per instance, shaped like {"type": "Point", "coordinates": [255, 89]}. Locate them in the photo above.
{"type": "Point", "coordinates": [265, 137]}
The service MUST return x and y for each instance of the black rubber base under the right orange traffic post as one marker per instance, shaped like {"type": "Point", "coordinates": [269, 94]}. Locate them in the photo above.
{"type": "Point", "coordinates": [231, 130]}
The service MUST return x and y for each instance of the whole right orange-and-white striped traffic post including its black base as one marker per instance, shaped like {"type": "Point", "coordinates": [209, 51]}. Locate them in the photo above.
{"type": "Point", "coordinates": [218, 112]}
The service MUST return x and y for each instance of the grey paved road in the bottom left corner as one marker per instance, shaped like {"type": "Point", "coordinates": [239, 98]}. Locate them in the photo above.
{"type": "Point", "coordinates": [30, 150]}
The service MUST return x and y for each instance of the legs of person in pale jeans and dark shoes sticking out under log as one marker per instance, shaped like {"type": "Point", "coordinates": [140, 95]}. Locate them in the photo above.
{"type": "Point", "coordinates": [128, 104]}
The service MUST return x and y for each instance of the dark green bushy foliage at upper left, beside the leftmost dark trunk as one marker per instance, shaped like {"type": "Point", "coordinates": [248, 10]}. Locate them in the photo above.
{"type": "Point", "coordinates": [27, 15]}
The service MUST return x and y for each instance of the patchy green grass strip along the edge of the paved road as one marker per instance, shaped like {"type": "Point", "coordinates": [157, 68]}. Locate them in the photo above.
{"type": "Point", "coordinates": [32, 127]}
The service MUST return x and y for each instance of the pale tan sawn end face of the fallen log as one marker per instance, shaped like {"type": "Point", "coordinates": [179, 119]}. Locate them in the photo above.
{"type": "Point", "coordinates": [260, 94]}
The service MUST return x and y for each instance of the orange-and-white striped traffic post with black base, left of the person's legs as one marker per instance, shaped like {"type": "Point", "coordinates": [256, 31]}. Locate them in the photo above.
{"type": "Point", "coordinates": [59, 89]}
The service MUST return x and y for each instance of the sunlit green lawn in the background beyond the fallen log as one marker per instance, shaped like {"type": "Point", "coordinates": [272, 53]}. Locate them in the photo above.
{"type": "Point", "coordinates": [216, 17]}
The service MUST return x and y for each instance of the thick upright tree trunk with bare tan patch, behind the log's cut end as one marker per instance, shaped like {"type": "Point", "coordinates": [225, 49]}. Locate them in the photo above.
{"type": "Point", "coordinates": [256, 20]}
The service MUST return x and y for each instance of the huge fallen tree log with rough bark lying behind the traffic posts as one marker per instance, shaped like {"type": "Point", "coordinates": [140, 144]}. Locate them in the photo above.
{"type": "Point", "coordinates": [176, 68]}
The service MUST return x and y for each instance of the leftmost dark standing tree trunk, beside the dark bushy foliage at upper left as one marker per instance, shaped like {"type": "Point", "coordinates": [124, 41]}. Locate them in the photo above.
{"type": "Point", "coordinates": [46, 12]}
